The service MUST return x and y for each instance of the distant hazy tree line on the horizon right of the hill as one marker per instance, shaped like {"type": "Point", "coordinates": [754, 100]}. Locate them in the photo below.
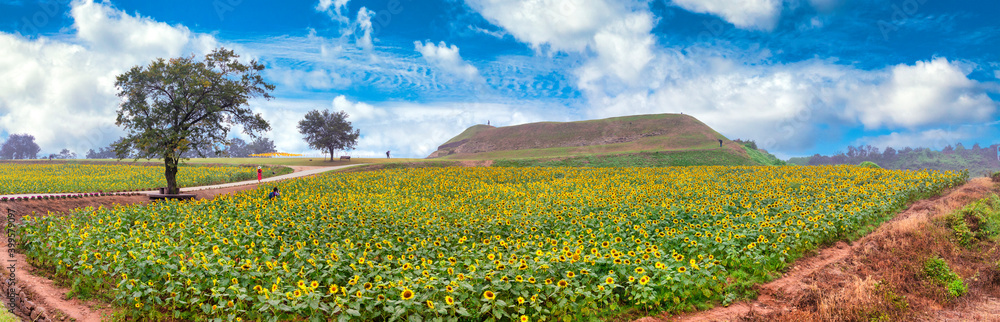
{"type": "Point", "coordinates": [977, 159]}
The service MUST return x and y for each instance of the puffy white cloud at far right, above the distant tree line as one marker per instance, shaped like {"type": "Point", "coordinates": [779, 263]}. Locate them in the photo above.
{"type": "Point", "coordinates": [932, 92]}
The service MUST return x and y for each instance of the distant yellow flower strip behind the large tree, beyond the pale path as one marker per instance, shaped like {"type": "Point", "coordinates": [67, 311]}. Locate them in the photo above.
{"type": "Point", "coordinates": [18, 178]}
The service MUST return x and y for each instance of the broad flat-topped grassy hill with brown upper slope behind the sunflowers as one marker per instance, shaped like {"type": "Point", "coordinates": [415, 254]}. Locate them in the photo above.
{"type": "Point", "coordinates": [640, 140]}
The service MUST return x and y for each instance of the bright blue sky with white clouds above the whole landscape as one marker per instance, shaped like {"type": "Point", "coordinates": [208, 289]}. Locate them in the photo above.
{"type": "Point", "coordinates": [798, 76]}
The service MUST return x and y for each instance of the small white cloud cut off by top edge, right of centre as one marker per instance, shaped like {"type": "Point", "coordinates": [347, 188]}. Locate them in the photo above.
{"type": "Point", "coordinates": [746, 14]}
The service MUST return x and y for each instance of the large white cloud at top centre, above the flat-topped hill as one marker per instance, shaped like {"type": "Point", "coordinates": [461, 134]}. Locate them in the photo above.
{"type": "Point", "coordinates": [617, 33]}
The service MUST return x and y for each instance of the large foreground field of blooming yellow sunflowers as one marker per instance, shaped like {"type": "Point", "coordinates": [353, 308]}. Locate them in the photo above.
{"type": "Point", "coordinates": [466, 243]}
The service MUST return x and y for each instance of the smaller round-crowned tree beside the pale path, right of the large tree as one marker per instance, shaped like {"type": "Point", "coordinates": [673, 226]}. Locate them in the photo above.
{"type": "Point", "coordinates": [329, 132]}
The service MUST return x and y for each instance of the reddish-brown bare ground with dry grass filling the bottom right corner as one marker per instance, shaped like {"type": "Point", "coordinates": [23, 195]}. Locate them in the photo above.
{"type": "Point", "coordinates": [881, 278]}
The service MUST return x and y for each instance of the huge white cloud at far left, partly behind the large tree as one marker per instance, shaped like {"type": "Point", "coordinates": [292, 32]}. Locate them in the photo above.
{"type": "Point", "coordinates": [62, 91]}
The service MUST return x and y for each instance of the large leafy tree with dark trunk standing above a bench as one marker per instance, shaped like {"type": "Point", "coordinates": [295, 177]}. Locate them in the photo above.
{"type": "Point", "coordinates": [173, 106]}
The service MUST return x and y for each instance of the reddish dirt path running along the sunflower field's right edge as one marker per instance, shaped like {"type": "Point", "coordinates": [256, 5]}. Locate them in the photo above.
{"type": "Point", "coordinates": [832, 269]}
